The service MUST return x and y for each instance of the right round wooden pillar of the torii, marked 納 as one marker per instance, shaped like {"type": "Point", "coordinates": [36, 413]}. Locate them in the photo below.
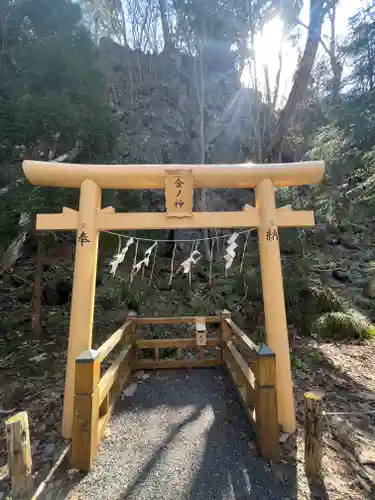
{"type": "Point", "coordinates": [274, 302]}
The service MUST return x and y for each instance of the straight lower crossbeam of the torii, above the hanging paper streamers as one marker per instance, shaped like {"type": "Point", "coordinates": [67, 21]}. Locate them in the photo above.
{"type": "Point", "coordinates": [68, 220]}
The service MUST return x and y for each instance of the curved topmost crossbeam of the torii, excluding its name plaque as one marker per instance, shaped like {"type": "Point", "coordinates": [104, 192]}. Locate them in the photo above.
{"type": "Point", "coordinates": [246, 175]}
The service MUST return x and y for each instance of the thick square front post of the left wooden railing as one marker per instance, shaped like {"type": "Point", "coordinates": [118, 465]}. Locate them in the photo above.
{"type": "Point", "coordinates": [86, 410]}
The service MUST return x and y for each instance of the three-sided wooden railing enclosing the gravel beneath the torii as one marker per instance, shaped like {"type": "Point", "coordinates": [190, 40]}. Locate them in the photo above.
{"type": "Point", "coordinates": [95, 395]}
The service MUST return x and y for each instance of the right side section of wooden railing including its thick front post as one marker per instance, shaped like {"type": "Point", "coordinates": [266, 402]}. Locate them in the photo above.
{"type": "Point", "coordinates": [255, 384]}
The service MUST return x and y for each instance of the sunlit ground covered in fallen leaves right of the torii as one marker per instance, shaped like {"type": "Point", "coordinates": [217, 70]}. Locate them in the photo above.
{"type": "Point", "coordinates": [342, 371]}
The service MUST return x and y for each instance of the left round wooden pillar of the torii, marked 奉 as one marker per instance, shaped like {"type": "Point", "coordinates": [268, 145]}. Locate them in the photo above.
{"type": "Point", "coordinates": [82, 309]}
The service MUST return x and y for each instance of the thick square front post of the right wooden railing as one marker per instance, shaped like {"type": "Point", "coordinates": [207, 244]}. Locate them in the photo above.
{"type": "Point", "coordinates": [267, 427]}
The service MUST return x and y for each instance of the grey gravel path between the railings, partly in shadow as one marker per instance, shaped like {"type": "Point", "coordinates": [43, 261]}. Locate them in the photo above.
{"type": "Point", "coordinates": [183, 436]}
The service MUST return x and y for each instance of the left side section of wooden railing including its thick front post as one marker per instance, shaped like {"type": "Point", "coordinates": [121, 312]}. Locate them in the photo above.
{"type": "Point", "coordinates": [95, 395]}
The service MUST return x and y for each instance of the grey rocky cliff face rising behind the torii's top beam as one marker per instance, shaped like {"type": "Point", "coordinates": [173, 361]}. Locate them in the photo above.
{"type": "Point", "coordinates": [157, 98]}
